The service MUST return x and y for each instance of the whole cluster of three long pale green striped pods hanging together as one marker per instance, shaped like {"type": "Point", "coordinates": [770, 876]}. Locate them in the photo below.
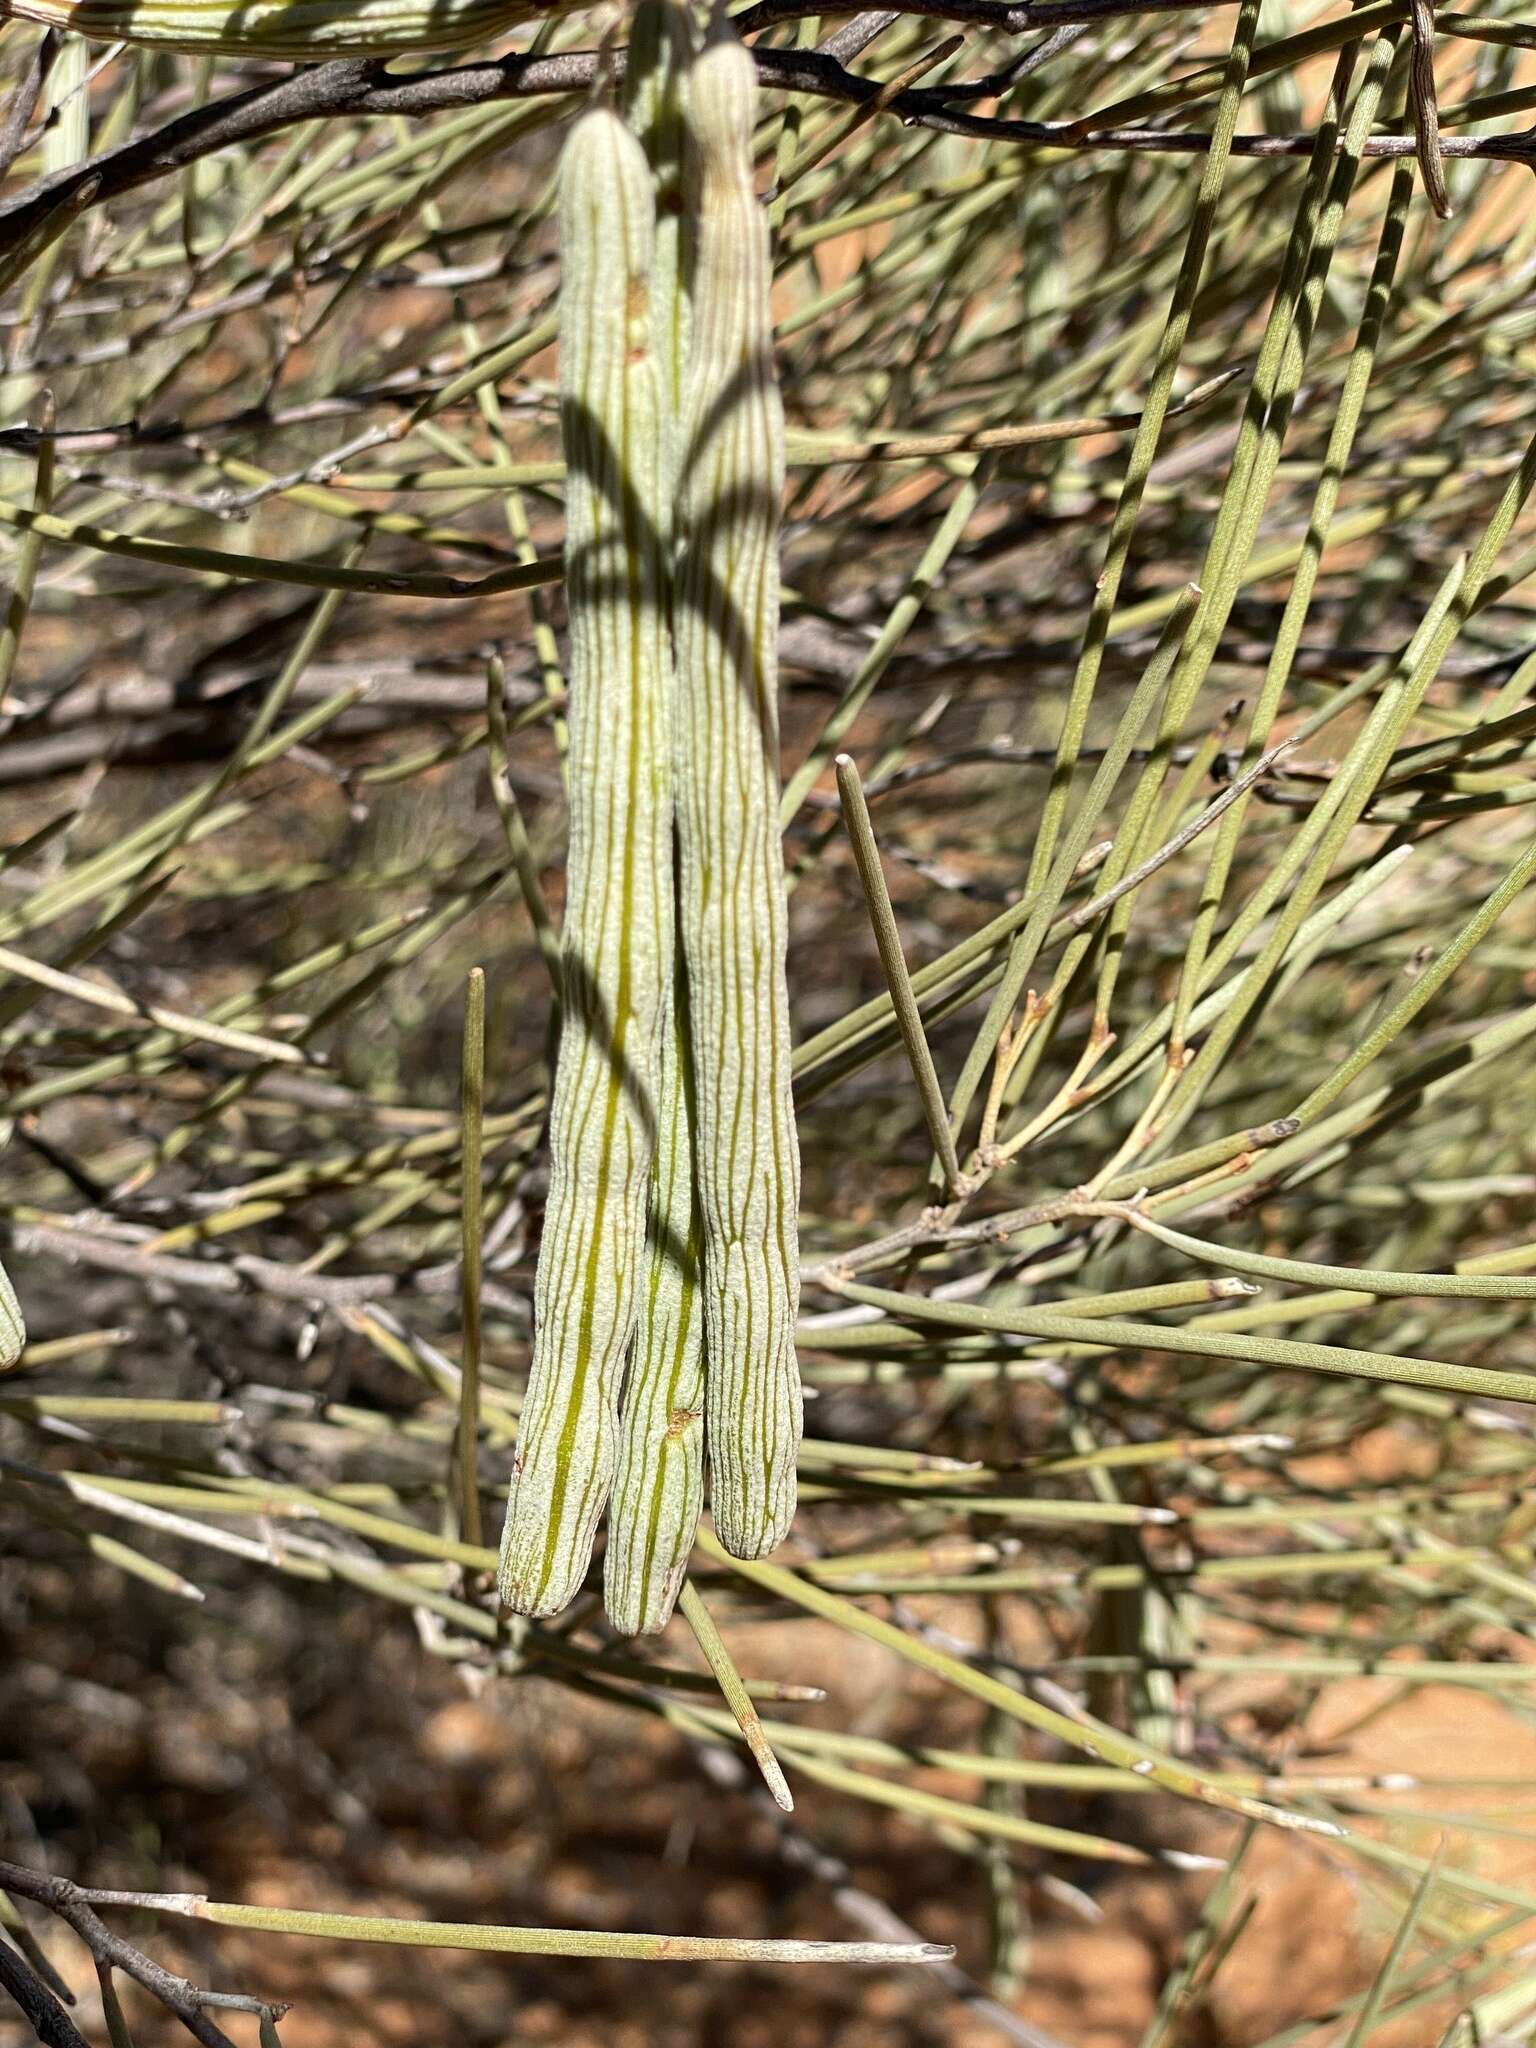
{"type": "Point", "coordinates": [669, 1277]}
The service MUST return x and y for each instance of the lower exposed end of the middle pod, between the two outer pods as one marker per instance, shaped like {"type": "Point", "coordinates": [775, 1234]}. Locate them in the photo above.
{"type": "Point", "coordinates": [660, 1484]}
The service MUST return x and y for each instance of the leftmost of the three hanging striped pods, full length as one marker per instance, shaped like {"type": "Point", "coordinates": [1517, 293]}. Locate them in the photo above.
{"type": "Point", "coordinates": [617, 949]}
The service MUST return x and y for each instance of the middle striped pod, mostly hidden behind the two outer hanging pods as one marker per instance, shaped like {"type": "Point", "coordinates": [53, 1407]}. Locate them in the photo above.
{"type": "Point", "coordinates": [660, 1482]}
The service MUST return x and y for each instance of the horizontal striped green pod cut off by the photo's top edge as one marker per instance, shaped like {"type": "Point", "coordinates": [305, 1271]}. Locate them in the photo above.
{"type": "Point", "coordinates": [284, 28]}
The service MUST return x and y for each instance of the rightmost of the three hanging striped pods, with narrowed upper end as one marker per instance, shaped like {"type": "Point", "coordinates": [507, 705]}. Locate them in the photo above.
{"type": "Point", "coordinates": [726, 622]}
